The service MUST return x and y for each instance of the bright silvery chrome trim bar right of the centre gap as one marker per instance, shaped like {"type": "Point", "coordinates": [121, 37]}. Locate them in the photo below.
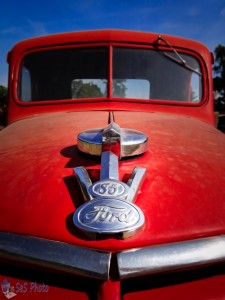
{"type": "Point", "coordinates": [170, 257]}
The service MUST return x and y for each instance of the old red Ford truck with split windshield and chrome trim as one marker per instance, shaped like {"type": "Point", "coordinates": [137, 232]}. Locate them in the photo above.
{"type": "Point", "coordinates": [112, 172]}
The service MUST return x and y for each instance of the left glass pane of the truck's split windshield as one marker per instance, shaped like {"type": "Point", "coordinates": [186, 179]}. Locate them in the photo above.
{"type": "Point", "coordinates": [64, 74]}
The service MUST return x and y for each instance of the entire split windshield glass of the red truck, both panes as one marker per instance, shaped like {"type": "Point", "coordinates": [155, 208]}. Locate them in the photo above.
{"type": "Point", "coordinates": [143, 74]}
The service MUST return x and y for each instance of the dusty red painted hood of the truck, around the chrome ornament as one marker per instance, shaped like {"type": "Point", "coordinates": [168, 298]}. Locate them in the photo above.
{"type": "Point", "coordinates": [182, 197]}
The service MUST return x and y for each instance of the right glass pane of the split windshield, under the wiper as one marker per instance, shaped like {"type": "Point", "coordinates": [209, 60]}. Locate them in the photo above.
{"type": "Point", "coordinates": [144, 74]}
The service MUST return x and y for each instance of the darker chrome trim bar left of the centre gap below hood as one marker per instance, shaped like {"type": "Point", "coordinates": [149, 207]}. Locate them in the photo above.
{"type": "Point", "coordinates": [55, 255]}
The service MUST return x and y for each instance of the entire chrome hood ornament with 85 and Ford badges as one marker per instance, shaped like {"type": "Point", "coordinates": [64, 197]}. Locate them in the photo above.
{"type": "Point", "coordinates": [109, 207]}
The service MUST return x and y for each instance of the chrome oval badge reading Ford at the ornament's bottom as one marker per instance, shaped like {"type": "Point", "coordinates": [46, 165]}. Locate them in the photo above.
{"type": "Point", "coordinates": [108, 216]}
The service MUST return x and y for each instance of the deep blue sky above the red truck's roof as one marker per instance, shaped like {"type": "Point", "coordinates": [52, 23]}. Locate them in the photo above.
{"type": "Point", "coordinates": [202, 20]}
